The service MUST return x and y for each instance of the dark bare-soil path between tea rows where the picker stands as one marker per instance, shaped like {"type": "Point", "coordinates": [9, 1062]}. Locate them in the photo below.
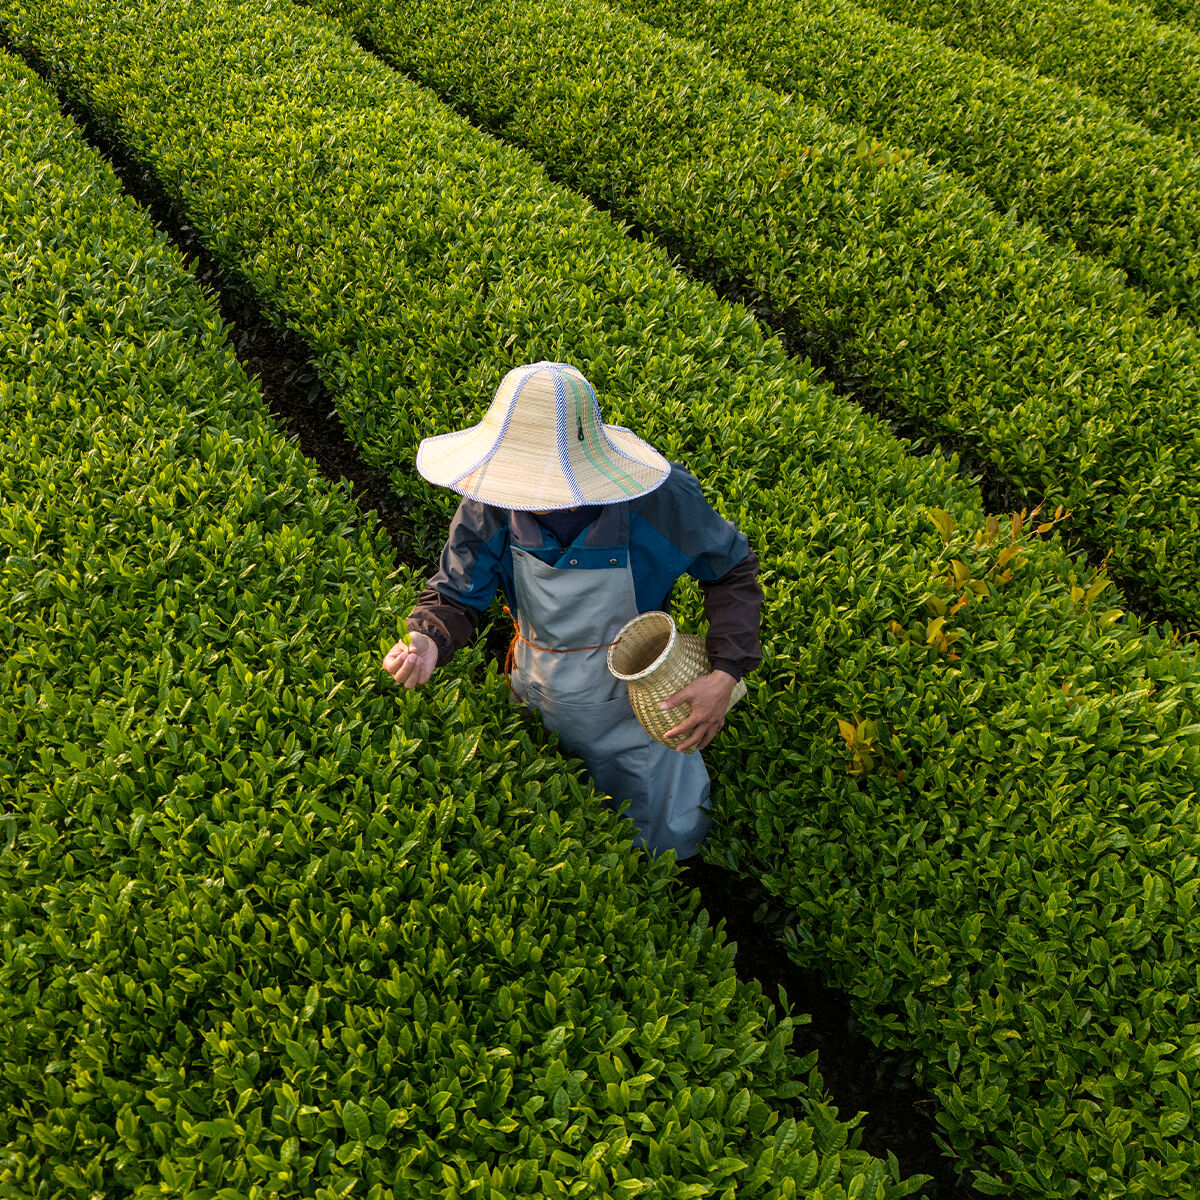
{"type": "Point", "coordinates": [859, 1076]}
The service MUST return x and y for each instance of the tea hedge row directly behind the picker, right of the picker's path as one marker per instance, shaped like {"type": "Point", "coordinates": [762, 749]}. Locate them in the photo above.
{"type": "Point", "coordinates": [982, 693]}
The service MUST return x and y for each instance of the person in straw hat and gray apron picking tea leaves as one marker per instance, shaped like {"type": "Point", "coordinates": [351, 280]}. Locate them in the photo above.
{"type": "Point", "coordinates": [584, 526]}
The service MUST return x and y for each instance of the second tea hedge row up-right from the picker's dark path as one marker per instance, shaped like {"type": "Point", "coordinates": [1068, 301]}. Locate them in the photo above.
{"type": "Point", "coordinates": [908, 281]}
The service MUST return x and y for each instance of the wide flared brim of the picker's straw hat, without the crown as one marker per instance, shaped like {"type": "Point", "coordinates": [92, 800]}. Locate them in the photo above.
{"type": "Point", "coordinates": [477, 465]}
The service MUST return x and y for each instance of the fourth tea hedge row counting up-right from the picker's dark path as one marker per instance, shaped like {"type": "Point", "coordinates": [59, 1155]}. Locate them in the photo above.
{"type": "Point", "coordinates": [1119, 53]}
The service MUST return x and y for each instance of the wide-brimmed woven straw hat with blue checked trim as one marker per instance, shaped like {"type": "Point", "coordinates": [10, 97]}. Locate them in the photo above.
{"type": "Point", "coordinates": [542, 446]}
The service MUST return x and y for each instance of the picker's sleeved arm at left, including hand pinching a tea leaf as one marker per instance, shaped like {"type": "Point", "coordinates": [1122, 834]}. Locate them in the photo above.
{"type": "Point", "coordinates": [452, 605]}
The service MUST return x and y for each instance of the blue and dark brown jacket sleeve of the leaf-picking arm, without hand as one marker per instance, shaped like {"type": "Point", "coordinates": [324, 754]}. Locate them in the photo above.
{"type": "Point", "coordinates": [470, 572]}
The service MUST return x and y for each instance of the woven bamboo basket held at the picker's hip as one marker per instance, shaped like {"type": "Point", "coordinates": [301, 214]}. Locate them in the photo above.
{"type": "Point", "coordinates": [657, 661]}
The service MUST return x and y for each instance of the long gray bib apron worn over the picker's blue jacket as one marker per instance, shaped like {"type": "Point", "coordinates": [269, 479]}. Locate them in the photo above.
{"type": "Point", "coordinates": [589, 709]}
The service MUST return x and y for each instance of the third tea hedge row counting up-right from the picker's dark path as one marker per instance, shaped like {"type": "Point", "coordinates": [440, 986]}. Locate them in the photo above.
{"type": "Point", "coordinates": [1075, 164]}
